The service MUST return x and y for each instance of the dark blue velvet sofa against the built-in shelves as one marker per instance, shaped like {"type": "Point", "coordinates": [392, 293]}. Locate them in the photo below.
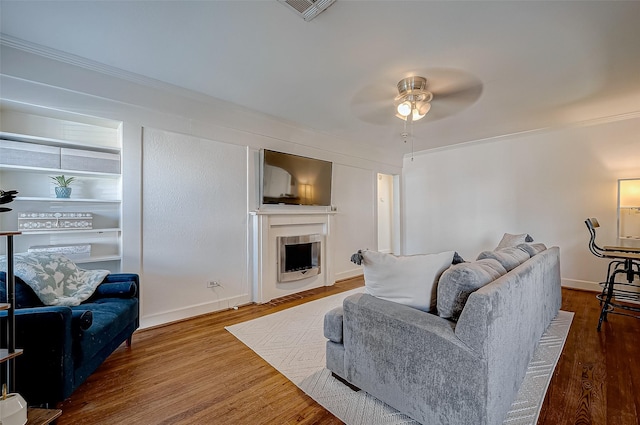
{"type": "Point", "coordinates": [64, 345]}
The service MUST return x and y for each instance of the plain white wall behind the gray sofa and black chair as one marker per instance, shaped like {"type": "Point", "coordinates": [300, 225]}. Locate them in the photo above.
{"type": "Point", "coordinates": [546, 183]}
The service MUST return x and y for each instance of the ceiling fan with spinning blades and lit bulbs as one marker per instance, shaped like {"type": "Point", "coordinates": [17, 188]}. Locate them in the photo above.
{"type": "Point", "coordinates": [446, 92]}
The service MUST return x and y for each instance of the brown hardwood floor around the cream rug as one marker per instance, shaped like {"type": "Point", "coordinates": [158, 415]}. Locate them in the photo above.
{"type": "Point", "coordinates": [195, 372]}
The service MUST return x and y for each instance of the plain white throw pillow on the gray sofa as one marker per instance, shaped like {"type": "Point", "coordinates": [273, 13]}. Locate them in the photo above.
{"type": "Point", "coordinates": [410, 280]}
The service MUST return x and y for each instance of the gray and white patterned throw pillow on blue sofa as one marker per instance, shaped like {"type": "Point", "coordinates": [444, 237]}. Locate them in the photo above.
{"type": "Point", "coordinates": [54, 278]}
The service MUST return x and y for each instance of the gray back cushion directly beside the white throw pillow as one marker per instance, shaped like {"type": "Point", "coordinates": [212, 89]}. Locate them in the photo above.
{"type": "Point", "coordinates": [460, 280]}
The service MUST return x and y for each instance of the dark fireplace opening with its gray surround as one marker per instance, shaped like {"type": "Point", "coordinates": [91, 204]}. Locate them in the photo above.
{"type": "Point", "coordinates": [299, 257]}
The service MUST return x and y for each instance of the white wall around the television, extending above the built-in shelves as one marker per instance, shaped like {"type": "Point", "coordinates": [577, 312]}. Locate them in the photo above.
{"type": "Point", "coordinates": [193, 132]}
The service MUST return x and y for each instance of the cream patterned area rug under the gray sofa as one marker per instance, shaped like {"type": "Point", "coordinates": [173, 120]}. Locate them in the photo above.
{"type": "Point", "coordinates": [292, 341]}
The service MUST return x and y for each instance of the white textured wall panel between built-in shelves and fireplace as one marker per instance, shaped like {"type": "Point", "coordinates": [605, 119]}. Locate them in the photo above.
{"type": "Point", "coordinates": [194, 225]}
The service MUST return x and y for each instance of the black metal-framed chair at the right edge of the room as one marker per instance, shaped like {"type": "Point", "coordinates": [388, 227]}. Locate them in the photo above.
{"type": "Point", "coordinates": [623, 260]}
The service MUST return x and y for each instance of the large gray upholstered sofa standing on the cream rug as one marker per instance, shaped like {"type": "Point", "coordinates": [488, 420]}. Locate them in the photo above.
{"type": "Point", "coordinates": [461, 370]}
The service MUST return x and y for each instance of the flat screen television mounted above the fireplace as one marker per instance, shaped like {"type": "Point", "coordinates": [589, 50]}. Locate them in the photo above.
{"type": "Point", "coordinates": [294, 180]}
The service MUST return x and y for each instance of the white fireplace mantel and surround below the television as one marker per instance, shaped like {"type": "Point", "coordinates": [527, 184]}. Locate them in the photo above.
{"type": "Point", "coordinates": [267, 226]}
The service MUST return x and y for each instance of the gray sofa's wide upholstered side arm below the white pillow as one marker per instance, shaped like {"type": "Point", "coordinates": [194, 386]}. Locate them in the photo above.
{"type": "Point", "coordinates": [412, 360]}
